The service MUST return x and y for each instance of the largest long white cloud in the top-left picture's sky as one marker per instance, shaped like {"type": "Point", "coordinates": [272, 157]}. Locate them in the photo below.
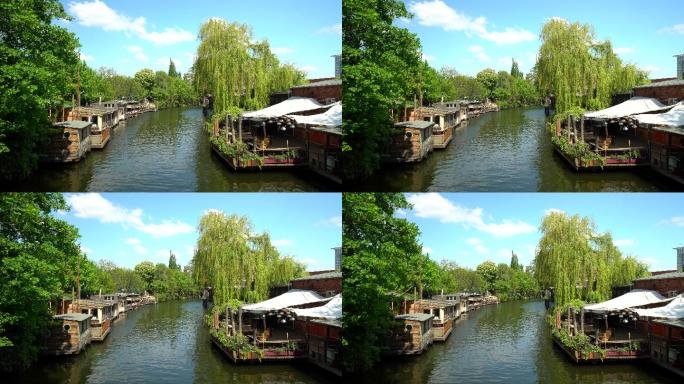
{"type": "Point", "coordinates": [98, 14]}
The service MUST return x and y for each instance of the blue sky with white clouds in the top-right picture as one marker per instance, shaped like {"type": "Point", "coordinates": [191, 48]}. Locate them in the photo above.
{"type": "Point", "coordinates": [473, 35]}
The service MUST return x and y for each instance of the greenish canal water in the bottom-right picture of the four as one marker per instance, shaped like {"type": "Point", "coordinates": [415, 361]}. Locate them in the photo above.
{"type": "Point", "coordinates": [506, 343]}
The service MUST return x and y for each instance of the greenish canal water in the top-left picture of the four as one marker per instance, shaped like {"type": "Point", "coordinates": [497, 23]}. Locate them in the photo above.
{"type": "Point", "coordinates": [162, 151]}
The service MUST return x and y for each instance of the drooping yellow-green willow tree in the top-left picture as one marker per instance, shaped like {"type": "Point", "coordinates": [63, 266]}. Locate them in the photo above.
{"type": "Point", "coordinates": [237, 70]}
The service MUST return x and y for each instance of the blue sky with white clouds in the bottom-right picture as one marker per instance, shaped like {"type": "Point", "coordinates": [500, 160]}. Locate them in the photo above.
{"type": "Point", "coordinates": [471, 228]}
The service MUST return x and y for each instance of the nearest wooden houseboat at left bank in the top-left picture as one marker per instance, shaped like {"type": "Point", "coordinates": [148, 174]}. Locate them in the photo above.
{"type": "Point", "coordinates": [69, 141]}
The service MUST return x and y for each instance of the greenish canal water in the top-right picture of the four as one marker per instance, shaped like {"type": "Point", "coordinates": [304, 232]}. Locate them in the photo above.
{"type": "Point", "coordinates": [507, 151]}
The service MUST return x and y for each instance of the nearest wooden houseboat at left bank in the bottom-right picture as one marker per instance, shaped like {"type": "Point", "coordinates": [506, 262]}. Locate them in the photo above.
{"type": "Point", "coordinates": [413, 334]}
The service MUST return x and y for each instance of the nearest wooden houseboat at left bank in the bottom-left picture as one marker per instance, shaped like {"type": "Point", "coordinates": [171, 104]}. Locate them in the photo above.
{"type": "Point", "coordinates": [70, 334]}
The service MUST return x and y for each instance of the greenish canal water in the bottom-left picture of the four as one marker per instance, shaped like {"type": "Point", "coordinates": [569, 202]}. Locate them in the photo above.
{"type": "Point", "coordinates": [163, 343]}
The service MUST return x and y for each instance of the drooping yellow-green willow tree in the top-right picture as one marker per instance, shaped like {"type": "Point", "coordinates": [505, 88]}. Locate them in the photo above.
{"type": "Point", "coordinates": [579, 70]}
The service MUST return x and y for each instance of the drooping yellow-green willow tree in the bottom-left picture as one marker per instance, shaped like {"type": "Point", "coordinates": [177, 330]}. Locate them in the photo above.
{"type": "Point", "coordinates": [235, 261]}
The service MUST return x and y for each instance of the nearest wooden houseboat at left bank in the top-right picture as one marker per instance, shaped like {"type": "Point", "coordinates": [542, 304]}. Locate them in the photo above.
{"type": "Point", "coordinates": [412, 142]}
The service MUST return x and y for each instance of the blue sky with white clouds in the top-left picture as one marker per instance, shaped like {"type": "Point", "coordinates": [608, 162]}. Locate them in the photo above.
{"type": "Point", "coordinates": [129, 35]}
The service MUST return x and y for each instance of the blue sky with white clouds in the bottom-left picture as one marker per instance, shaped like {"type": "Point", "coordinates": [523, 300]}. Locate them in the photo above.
{"type": "Point", "coordinates": [128, 228]}
